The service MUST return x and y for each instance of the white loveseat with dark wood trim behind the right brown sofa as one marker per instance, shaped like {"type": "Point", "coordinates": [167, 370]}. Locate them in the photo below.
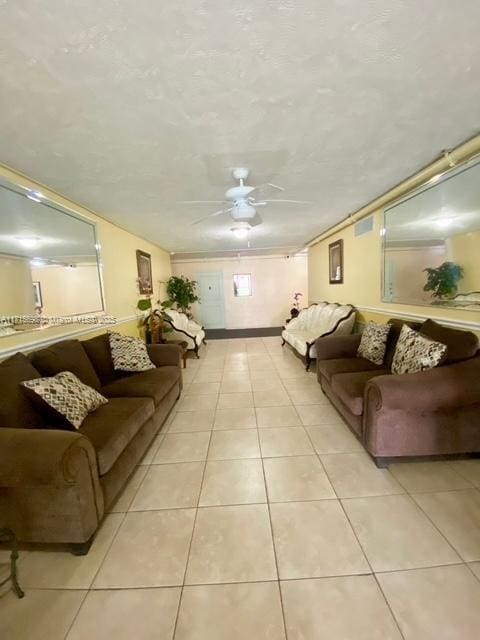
{"type": "Point", "coordinates": [316, 321]}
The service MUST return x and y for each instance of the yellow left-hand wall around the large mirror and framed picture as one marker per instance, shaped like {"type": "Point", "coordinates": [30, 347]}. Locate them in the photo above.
{"type": "Point", "coordinates": [119, 269]}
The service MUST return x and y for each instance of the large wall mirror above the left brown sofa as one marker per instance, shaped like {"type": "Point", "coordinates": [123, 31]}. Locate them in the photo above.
{"type": "Point", "coordinates": [49, 261]}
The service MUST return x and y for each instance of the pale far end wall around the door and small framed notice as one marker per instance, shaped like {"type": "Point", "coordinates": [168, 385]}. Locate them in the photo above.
{"type": "Point", "coordinates": [274, 281]}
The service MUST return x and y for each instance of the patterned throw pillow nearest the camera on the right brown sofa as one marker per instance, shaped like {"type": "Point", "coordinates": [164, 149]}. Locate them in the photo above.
{"type": "Point", "coordinates": [415, 352]}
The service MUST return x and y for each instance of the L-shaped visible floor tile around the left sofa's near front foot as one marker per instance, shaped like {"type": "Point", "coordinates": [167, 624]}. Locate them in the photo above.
{"type": "Point", "coordinates": [61, 569]}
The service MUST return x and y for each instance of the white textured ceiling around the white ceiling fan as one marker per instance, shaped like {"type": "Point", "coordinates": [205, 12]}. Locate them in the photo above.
{"type": "Point", "coordinates": [129, 107]}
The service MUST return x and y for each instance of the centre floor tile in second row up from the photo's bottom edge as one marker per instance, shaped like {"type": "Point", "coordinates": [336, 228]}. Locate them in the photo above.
{"type": "Point", "coordinates": [231, 544]}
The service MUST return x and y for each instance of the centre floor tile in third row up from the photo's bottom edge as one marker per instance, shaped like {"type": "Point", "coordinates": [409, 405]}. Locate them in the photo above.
{"type": "Point", "coordinates": [228, 482]}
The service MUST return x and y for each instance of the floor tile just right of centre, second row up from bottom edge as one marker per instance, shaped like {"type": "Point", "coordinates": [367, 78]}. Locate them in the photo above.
{"type": "Point", "coordinates": [314, 539]}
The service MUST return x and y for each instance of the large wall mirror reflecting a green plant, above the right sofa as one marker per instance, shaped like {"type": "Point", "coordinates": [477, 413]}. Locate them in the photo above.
{"type": "Point", "coordinates": [431, 244]}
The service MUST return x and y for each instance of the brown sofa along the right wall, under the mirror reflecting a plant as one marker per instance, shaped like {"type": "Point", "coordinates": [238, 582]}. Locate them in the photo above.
{"type": "Point", "coordinates": [434, 412]}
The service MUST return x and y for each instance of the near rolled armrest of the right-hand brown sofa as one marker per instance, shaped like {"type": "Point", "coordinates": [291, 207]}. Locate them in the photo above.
{"type": "Point", "coordinates": [438, 389]}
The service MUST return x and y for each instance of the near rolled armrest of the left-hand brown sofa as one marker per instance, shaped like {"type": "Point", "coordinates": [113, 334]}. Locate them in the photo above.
{"type": "Point", "coordinates": [33, 457]}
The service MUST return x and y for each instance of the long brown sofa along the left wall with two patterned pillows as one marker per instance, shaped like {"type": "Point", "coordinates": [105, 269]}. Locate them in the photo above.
{"type": "Point", "coordinates": [56, 484]}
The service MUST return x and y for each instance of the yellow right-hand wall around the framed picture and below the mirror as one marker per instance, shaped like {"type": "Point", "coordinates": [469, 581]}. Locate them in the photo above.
{"type": "Point", "coordinates": [363, 279]}
